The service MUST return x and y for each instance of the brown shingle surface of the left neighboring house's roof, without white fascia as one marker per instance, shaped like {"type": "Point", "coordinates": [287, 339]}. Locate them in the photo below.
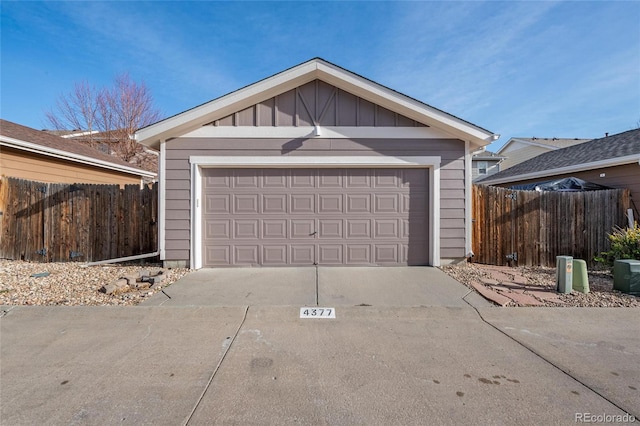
{"type": "Point", "coordinates": [47, 140]}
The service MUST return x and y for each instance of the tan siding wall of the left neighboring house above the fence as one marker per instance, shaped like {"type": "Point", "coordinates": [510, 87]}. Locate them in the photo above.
{"type": "Point", "coordinates": [31, 166]}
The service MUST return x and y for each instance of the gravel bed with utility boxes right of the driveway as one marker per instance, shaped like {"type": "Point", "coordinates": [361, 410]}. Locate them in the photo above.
{"type": "Point", "coordinates": [536, 281]}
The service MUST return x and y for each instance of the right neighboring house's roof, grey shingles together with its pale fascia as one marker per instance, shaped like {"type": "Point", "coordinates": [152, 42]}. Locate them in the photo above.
{"type": "Point", "coordinates": [622, 148]}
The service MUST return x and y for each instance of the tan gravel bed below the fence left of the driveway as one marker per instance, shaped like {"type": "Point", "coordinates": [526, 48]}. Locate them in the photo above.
{"type": "Point", "coordinates": [71, 284]}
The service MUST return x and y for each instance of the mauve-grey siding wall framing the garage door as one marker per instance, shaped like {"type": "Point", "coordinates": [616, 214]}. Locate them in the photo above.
{"type": "Point", "coordinates": [178, 180]}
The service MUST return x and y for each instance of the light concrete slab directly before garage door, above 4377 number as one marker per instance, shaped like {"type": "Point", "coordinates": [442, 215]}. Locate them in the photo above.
{"type": "Point", "coordinates": [324, 286]}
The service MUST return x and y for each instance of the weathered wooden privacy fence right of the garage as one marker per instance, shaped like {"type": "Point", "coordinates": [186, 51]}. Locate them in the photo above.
{"type": "Point", "coordinates": [526, 228]}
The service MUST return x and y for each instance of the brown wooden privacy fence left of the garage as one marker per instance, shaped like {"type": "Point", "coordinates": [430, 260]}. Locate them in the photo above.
{"type": "Point", "coordinates": [79, 222]}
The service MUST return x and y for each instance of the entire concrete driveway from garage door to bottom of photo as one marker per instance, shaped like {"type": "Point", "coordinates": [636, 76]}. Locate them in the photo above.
{"type": "Point", "coordinates": [425, 352]}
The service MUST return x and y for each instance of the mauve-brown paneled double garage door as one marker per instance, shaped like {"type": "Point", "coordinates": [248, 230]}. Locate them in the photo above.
{"type": "Point", "coordinates": [281, 217]}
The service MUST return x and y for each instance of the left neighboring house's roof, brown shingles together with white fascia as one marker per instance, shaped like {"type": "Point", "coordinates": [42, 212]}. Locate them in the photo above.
{"type": "Point", "coordinates": [40, 142]}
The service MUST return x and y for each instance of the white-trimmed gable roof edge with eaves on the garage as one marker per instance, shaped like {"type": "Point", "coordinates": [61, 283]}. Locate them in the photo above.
{"type": "Point", "coordinates": [316, 68]}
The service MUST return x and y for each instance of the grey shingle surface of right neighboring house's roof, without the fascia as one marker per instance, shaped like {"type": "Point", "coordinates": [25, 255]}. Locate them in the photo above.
{"type": "Point", "coordinates": [614, 146]}
